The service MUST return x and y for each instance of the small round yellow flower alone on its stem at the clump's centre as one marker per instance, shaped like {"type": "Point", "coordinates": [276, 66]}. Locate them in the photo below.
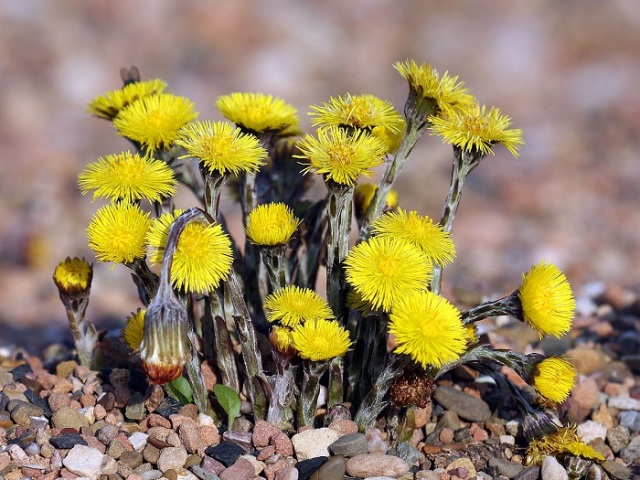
{"type": "Point", "coordinates": [271, 224]}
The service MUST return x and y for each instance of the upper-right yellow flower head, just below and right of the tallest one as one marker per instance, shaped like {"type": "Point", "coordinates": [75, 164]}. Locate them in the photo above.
{"type": "Point", "coordinates": [476, 129]}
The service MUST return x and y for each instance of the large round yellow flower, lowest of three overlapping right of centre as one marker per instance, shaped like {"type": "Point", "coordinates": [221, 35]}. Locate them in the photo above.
{"type": "Point", "coordinates": [428, 328]}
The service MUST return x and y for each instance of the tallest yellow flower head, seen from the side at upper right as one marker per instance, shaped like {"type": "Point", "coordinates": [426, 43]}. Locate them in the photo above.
{"type": "Point", "coordinates": [441, 95]}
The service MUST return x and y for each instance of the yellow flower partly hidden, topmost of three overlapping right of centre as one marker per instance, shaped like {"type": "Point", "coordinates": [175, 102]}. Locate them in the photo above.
{"type": "Point", "coordinates": [420, 231]}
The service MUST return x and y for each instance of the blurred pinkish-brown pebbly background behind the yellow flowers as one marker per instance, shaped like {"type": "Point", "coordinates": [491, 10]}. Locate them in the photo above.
{"type": "Point", "coordinates": [567, 73]}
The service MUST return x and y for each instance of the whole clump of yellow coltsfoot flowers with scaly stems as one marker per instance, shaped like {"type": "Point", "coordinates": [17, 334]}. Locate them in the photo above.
{"type": "Point", "coordinates": [387, 284]}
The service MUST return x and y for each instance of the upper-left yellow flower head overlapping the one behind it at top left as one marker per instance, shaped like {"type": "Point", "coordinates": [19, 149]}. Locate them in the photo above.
{"type": "Point", "coordinates": [155, 121]}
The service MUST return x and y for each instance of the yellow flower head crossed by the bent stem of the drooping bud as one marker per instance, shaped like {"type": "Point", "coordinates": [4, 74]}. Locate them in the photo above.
{"type": "Point", "coordinates": [202, 258]}
